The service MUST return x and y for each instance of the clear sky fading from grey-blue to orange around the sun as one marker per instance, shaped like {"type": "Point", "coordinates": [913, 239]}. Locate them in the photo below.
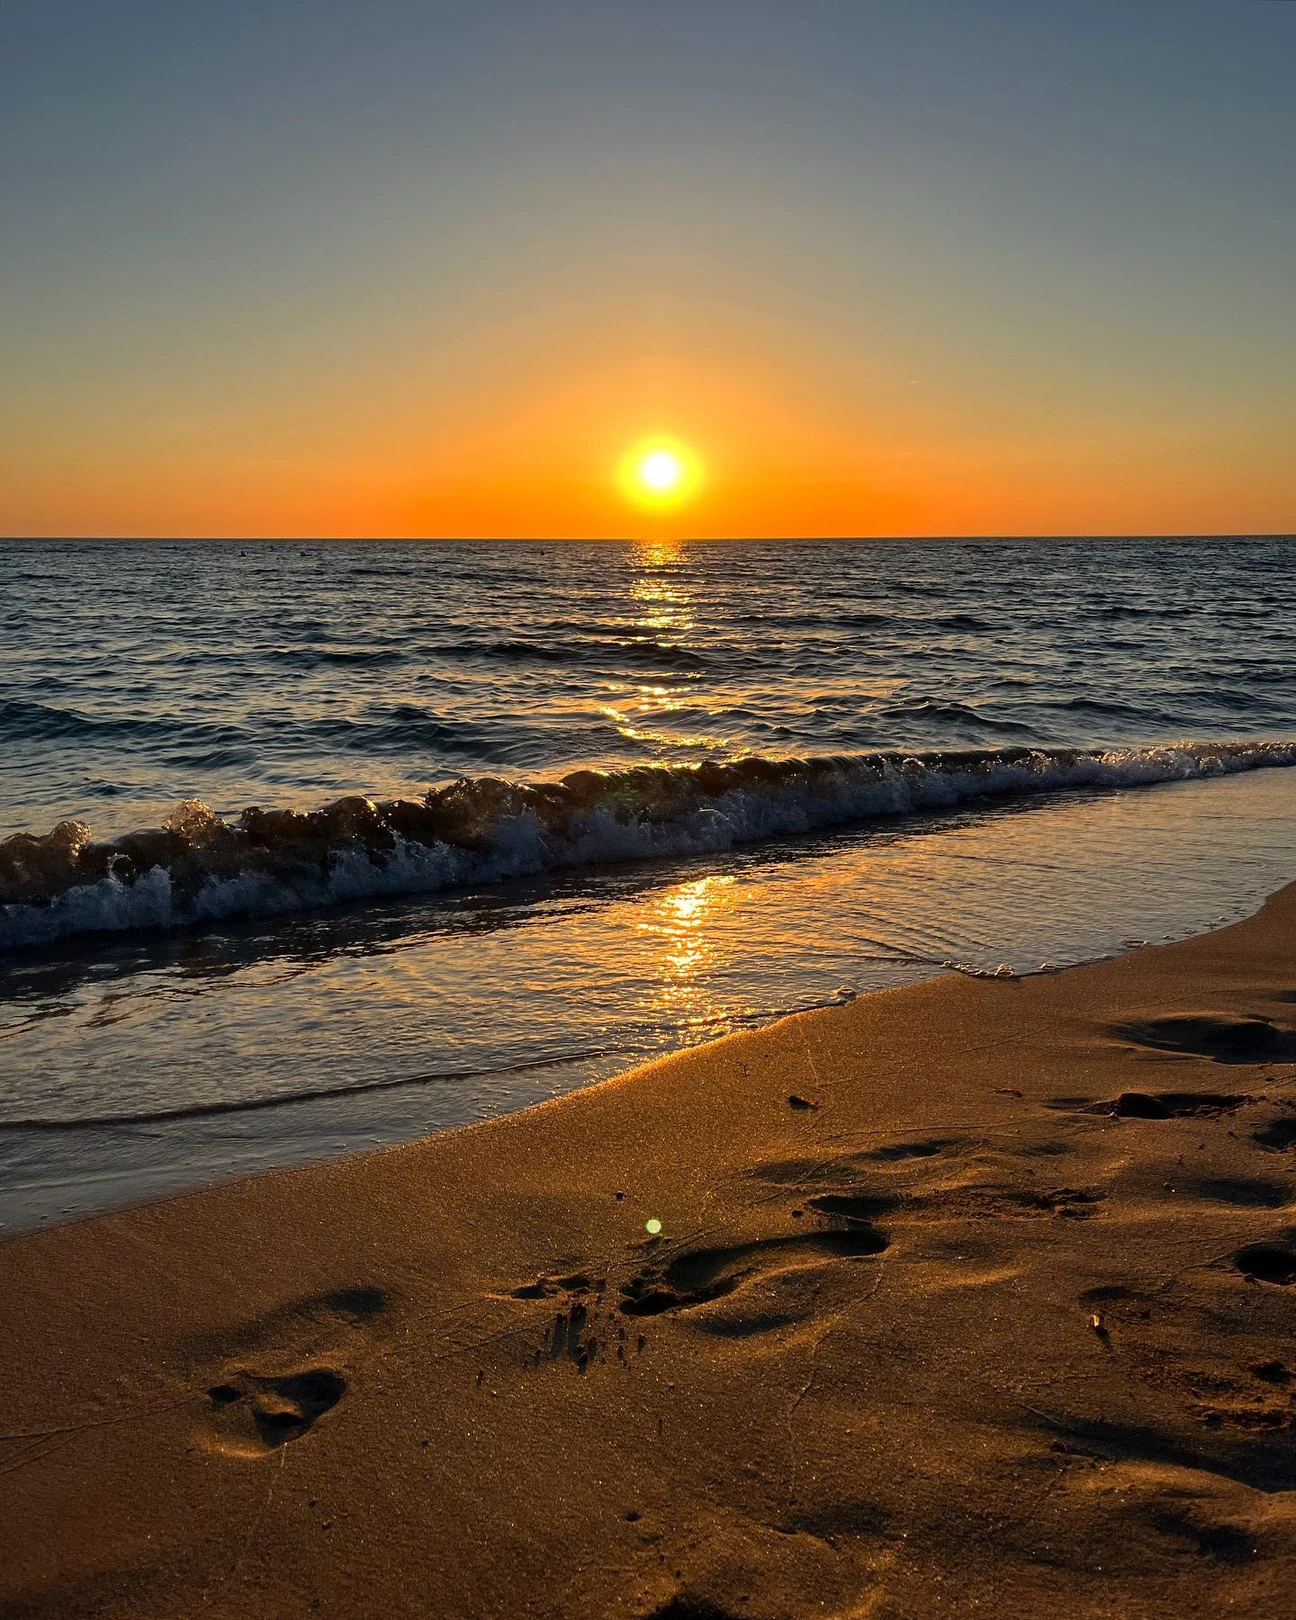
{"type": "Point", "coordinates": [424, 268]}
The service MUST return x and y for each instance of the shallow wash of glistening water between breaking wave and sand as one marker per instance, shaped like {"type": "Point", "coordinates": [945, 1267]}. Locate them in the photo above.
{"type": "Point", "coordinates": [746, 939]}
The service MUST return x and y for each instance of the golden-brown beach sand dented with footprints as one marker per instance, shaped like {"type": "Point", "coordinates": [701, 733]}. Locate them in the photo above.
{"type": "Point", "coordinates": [970, 1298]}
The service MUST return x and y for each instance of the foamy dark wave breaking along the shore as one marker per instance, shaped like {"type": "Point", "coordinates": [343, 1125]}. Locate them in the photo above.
{"type": "Point", "coordinates": [200, 868]}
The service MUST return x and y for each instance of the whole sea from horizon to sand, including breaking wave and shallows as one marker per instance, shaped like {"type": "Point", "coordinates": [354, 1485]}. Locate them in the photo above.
{"type": "Point", "coordinates": [318, 848]}
